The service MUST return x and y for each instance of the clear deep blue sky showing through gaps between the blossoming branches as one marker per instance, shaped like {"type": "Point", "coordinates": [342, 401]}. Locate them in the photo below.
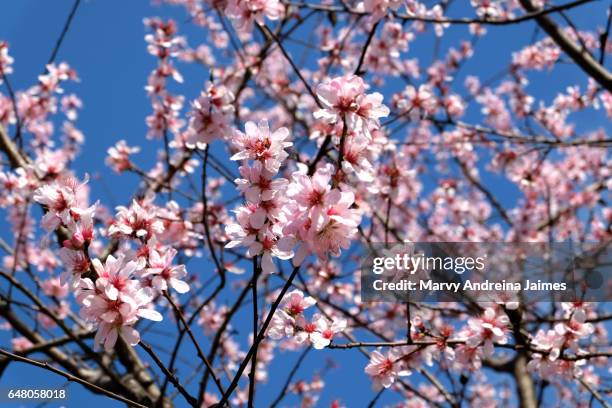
{"type": "Point", "coordinates": [106, 47]}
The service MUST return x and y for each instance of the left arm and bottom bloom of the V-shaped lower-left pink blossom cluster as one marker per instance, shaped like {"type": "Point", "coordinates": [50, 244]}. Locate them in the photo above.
{"type": "Point", "coordinates": [115, 301]}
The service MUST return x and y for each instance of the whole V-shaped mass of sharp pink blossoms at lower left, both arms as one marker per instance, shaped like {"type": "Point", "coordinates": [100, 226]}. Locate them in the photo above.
{"type": "Point", "coordinates": [114, 295]}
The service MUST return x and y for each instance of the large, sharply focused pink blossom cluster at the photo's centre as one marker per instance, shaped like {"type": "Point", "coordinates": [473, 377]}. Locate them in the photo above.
{"type": "Point", "coordinates": [311, 213]}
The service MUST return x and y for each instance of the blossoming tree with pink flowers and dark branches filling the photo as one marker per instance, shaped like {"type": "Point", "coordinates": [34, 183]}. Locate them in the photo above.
{"type": "Point", "coordinates": [268, 181]}
